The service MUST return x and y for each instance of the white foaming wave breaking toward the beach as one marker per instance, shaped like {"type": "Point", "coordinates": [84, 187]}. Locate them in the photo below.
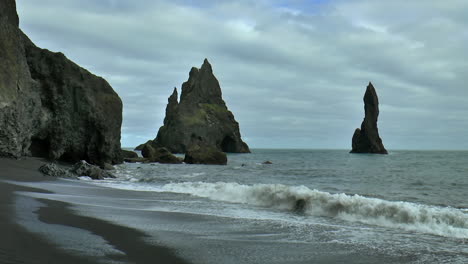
{"type": "Point", "coordinates": [443, 221]}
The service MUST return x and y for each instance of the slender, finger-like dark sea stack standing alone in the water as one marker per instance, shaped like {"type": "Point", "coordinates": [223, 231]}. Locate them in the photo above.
{"type": "Point", "coordinates": [367, 139]}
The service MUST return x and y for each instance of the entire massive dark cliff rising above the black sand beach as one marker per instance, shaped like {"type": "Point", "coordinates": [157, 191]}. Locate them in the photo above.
{"type": "Point", "coordinates": [49, 106]}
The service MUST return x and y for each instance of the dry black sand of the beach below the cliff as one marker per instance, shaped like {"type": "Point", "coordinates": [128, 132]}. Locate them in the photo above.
{"type": "Point", "coordinates": [18, 245]}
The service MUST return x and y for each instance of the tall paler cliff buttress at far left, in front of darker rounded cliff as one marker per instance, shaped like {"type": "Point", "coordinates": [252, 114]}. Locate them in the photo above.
{"type": "Point", "coordinates": [19, 98]}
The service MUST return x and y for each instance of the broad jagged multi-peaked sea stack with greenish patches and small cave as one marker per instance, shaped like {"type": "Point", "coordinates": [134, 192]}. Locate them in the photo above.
{"type": "Point", "coordinates": [201, 113]}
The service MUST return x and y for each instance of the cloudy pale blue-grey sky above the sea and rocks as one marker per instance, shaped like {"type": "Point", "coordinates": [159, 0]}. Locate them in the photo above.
{"type": "Point", "coordinates": [293, 72]}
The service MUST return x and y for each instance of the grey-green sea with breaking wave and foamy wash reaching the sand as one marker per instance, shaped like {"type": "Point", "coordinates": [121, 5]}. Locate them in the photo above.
{"type": "Point", "coordinates": [307, 206]}
